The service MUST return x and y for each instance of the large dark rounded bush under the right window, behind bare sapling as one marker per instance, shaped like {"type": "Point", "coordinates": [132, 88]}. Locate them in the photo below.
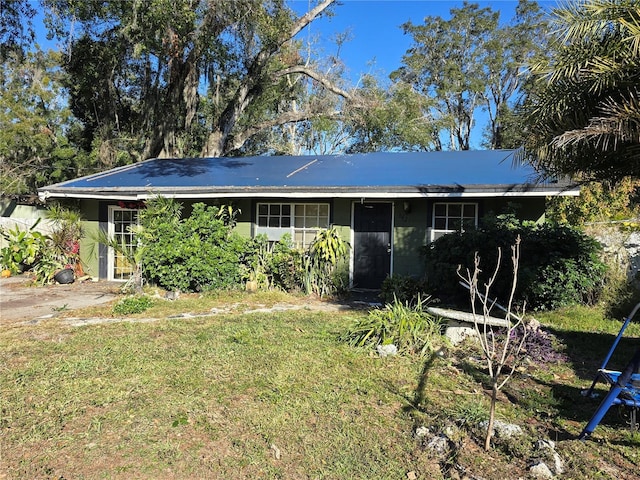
{"type": "Point", "coordinates": [559, 265]}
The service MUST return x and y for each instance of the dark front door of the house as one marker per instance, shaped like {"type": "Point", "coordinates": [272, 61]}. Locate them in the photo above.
{"type": "Point", "coordinates": [371, 244]}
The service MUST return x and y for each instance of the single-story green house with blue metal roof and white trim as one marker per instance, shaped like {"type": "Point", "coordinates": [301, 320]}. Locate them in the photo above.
{"type": "Point", "coordinates": [387, 205]}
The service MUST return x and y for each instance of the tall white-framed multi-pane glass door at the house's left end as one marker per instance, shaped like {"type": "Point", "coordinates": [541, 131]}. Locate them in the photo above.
{"type": "Point", "coordinates": [120, 221]}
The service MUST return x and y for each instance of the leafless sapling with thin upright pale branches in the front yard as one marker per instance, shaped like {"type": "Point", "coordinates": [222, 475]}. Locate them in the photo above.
{"type": "Point", "coordinates": [501, 353]}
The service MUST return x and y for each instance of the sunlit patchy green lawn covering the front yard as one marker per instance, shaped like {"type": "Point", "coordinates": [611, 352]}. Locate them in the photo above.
{"type": "Point", "coordinates": [277, 395]}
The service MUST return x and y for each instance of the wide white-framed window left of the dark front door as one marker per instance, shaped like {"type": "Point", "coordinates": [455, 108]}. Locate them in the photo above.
{"type": "Point", "coordinates": [301, 220]}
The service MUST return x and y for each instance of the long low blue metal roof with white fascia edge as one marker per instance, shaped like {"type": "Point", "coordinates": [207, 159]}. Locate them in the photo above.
{"type": "Point", "coordinates": [416, 173]}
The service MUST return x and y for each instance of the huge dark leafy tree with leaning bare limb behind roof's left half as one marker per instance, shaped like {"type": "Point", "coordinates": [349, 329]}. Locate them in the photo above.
{"type": "Point", "coordinates": [184, 77]}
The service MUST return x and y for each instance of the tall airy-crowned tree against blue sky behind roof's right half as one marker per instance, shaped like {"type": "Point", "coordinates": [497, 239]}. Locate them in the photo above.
{"type": "Point", "coordinates": [468, 63]}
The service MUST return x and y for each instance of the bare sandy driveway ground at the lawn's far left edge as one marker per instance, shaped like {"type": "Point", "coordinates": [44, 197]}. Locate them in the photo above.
{"type": "Point", "coordinates": [21, 301]}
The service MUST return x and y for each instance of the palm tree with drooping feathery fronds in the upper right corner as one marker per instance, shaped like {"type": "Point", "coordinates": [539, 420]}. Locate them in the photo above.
{"type": "Point", "coordinates": [583, 117]}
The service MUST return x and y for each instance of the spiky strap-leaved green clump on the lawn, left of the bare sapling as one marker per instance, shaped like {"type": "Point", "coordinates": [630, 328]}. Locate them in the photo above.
{"type": "Point", "coordinates": [410, 328]}
